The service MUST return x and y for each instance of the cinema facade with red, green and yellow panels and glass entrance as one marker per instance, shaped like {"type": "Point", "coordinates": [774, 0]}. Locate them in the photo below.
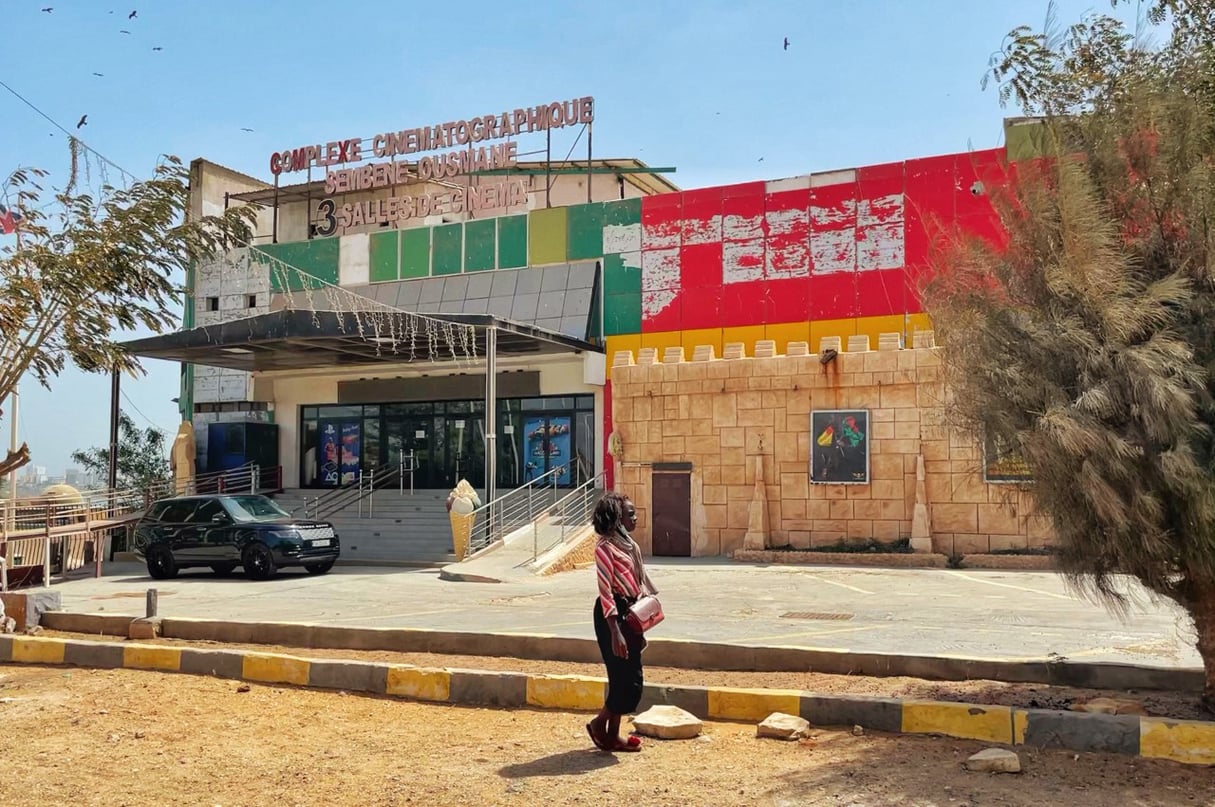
{"type": "Point", "coordinates": [607, 253]}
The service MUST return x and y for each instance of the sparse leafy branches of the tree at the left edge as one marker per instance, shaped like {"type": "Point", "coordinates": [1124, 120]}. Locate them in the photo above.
{"type": "Point", "coordinates": [88, 268]}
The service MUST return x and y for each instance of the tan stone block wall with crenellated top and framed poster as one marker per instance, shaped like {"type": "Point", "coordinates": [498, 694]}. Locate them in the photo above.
{"type": "Point", "coordinates": [739, 416]}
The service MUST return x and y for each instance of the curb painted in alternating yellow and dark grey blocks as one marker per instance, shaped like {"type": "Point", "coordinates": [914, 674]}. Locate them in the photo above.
{"type": "Point", "coordinates": [1188, 742]}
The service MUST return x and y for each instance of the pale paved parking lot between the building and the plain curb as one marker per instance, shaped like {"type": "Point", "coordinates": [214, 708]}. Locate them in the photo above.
{"type": "Point", "coordinates": [1009, 616]}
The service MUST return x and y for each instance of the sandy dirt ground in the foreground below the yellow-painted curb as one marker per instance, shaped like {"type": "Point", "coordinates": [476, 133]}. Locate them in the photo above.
{"type": "Point", "coordinates": [117, 737]}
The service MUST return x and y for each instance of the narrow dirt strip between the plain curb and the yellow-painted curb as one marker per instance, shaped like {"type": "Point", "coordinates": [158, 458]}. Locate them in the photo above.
{"type": "Point", "coordinates": [993, 693]}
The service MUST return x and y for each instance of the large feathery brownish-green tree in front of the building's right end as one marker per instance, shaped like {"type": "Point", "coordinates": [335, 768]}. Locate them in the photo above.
{"type": "Point", "coordinates": [1086, 342]}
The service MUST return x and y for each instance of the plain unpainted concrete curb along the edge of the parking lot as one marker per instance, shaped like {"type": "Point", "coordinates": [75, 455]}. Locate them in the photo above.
{"type": "Point", "coordinates": [660, 653]}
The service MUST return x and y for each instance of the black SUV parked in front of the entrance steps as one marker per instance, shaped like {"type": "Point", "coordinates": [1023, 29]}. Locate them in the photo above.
{"type": "Point", "coordinates": [230, 532]}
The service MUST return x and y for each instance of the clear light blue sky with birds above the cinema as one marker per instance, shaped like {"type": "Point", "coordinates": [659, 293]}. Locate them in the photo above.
{"type": "Point", "coordinates": [711, 93]}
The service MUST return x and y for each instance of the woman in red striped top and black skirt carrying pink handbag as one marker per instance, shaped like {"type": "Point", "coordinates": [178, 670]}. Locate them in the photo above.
{"type": "Point", "coordinates": [623, 580]}
